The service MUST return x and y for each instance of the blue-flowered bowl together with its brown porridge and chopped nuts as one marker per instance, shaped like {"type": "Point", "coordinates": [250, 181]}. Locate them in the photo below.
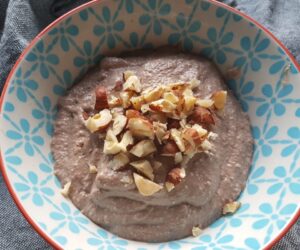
{"type": "Point", "coordinates": [153, 49]}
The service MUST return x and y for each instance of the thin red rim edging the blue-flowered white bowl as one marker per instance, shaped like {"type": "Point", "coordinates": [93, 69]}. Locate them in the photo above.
{"type": "Point", "coordinates": [78, 9]}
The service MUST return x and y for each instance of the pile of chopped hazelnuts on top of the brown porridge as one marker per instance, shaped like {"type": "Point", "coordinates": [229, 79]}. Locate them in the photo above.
{"type": "Point", "coordinates": [139, 124]}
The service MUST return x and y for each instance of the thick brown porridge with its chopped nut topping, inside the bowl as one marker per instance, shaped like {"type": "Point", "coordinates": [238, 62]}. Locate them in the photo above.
{"type": "Point", "coordinates": [153, 146]}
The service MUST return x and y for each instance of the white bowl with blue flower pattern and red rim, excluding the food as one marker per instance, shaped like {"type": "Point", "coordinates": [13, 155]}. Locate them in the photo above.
{"type": "Point", "coordinates": [264, 77]}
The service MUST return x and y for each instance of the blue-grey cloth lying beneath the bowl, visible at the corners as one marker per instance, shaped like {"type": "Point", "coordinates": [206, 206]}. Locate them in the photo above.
{"type": "Point", "coordinates": [21, 20]}
